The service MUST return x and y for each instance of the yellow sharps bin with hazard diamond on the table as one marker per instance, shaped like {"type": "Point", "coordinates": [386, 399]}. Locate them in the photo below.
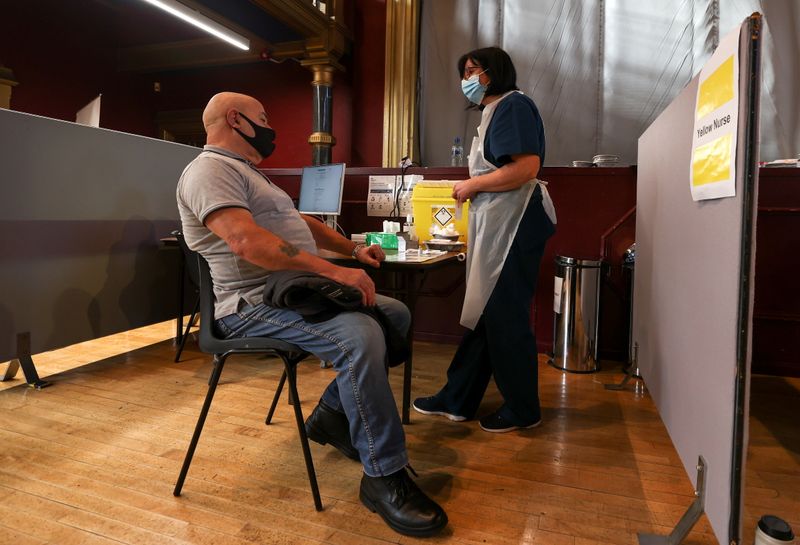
{"type": "Point", "coordinates": [434, 206]}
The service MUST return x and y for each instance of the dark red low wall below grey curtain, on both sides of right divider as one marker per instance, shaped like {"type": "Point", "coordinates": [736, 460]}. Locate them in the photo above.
{"type": "Point", "coordinates": [596, 218]}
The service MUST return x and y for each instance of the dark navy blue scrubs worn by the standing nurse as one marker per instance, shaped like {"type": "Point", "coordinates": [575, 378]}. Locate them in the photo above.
{"type": "Point", "coordinates": [502, 344]}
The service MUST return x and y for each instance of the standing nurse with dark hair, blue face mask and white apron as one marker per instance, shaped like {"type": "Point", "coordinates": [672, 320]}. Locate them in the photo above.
{"type": "Point", "coordinates": [511, 216]}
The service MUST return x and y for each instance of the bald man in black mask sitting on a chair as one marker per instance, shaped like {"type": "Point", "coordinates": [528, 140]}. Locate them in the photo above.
{"type": "Point", "coordinates": [245, 227]}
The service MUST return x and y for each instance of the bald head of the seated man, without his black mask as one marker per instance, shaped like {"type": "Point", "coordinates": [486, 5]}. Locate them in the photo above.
{"type": "Point", "coordinates": [221, 118]}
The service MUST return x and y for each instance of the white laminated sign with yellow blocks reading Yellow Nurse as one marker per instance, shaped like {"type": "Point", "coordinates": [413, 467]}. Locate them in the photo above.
{"type": "Point", "coordinates": [713, 167]}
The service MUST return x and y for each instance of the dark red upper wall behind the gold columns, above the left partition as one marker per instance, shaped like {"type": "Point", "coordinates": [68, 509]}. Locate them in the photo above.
{"type": "Point", "coordinates": [67, 57]}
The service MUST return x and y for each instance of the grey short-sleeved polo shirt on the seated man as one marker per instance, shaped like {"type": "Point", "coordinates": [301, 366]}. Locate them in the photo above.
{"type": "Point", "coordinates": [216, 179]}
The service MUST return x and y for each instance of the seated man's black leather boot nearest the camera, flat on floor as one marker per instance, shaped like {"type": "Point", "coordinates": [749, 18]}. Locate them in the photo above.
{"type": "Point", "coordinates": [402, 505]}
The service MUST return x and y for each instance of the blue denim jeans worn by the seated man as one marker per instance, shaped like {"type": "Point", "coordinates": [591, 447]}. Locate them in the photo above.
{"type": "Point", "coordinates": [354, 343]}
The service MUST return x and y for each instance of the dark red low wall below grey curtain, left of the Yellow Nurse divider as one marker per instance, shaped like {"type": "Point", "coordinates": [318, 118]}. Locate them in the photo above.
{"type": "Point", "coordinates": [590, 203]}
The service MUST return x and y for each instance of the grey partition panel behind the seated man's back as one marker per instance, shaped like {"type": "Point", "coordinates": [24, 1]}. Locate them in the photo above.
{"type": "Point", "coordinates": [81, 213]}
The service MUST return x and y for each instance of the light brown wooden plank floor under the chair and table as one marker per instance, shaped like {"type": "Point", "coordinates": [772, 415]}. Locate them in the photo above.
{"type": "Point", "coordinates": [93, 459]}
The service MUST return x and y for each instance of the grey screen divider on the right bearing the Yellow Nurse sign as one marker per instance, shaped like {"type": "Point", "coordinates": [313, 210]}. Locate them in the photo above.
{"type": "Point", "coordinates": [693, 295]}
